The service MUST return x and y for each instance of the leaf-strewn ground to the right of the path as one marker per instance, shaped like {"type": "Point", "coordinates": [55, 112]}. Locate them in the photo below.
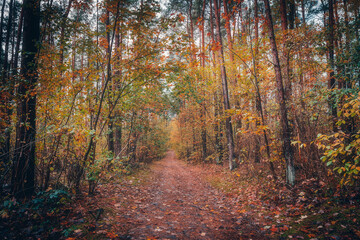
{"type": "Point", "coordinates": [309, 211]}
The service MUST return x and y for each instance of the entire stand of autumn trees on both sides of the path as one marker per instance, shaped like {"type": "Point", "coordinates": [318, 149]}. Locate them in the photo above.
{"type": "Point", "coordinates": [97, 85]}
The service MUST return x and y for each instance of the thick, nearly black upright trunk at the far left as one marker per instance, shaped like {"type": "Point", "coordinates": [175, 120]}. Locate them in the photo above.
{"type": "Point", "coordinates": [23, 178]}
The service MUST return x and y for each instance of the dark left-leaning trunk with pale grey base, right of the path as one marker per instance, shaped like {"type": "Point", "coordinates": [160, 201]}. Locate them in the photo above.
{"type": "Point", "coordinates": [285, 129]}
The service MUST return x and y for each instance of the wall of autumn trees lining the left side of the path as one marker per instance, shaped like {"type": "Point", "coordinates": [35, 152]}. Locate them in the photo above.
{"type": "Point", "coordinates": [90, 94]}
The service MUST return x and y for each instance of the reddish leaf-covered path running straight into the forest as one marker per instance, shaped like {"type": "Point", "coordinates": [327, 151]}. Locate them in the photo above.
{"type": "Point", "coordinates": [175, 202]}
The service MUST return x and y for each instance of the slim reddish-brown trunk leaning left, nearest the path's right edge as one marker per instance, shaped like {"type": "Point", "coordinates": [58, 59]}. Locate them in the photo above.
{"type": "Point", "coordinates": [228, 124]}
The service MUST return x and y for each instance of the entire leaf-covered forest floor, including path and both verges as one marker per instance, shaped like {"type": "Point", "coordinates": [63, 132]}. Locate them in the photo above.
{"type": "Point", "coordinates": [171, 199]}
